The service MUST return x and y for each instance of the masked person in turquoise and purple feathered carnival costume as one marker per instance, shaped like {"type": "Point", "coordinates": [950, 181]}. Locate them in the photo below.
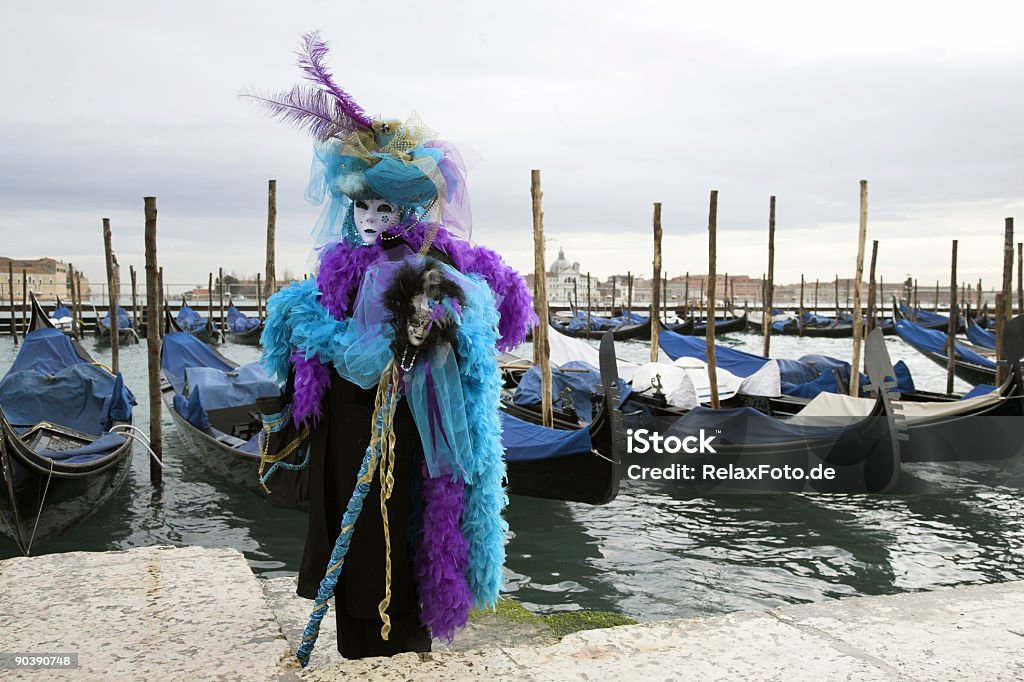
{"type": "Point", "coordinates": [392, 349]}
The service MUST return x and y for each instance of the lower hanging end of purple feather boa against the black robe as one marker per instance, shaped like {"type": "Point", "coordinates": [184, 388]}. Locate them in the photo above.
{"type": "Point", "coordinates": [442, 559]}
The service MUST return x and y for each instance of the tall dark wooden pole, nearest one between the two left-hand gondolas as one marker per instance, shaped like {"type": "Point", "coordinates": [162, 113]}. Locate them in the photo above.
{"type": "Point", "coordinates": [153, 339]}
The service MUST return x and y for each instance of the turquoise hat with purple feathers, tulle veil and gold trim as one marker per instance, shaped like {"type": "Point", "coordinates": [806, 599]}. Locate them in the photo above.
{"type": "Point", "coordinates": [357, 157]}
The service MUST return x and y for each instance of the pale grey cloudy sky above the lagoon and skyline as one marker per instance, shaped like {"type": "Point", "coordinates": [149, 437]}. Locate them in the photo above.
{"type": "Point", "coordinates": [620, 105]}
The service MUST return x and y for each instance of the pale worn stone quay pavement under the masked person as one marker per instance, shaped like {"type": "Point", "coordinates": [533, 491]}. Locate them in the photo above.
{"type": "Point", "coordinates": [200, 614]}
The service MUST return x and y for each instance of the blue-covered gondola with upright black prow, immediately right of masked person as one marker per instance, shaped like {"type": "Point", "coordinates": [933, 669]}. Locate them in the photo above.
{"type": "Point", "coordinates": [572, 461]}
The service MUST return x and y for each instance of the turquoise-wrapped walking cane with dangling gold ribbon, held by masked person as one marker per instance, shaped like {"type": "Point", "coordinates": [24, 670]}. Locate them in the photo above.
{"type": "Point", "coordinates": [380, 448]}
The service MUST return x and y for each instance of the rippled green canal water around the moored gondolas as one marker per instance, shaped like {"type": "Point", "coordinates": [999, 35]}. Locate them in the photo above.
{"type": "Point", "coordinates": [654, 553]}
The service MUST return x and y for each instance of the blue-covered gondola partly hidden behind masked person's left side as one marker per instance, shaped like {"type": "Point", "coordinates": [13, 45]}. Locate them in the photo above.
{"type": "Point", "coordinates": [226, 438]}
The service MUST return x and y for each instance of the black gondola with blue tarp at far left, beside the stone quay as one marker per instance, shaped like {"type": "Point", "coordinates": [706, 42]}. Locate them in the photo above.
{"type": "Point", "coordinates": [59, 465]}
